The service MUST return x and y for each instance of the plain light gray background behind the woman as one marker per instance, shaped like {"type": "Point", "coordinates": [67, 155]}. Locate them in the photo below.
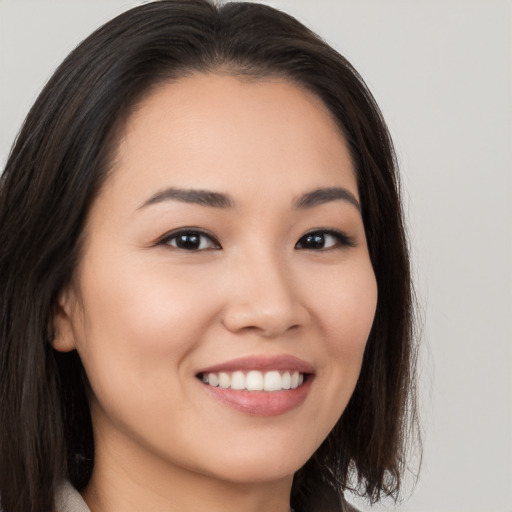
{"type": "Point", "coordinates": [442, 74]}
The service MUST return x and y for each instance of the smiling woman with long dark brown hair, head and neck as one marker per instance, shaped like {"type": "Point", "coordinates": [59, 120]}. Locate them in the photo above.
{"type": "Point", "coordinates": [205, 295]}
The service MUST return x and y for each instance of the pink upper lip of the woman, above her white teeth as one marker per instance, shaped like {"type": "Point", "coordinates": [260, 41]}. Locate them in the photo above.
{"type": "Point", "coordinates": [282, 362]}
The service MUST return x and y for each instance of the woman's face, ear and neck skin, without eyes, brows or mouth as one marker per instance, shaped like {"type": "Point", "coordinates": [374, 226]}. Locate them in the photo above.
{"type": "Point", "coordinates": [146, 316]}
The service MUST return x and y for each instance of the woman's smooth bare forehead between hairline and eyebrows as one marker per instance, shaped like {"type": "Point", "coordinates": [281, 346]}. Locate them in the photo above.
{"type": "Point", "coordinates": [212, 131]}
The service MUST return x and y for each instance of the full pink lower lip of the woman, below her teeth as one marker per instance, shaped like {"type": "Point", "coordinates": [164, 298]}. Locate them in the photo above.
{"type": "Point", "coordinates": [261, 403]}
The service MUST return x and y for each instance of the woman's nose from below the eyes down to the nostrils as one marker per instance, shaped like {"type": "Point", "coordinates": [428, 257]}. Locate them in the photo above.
{"type": "Point", "coordinates": [264, 298]}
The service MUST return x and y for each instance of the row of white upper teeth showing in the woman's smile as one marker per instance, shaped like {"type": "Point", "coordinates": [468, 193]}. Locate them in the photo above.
{"type": "Point", "coordinates": [255, 380]}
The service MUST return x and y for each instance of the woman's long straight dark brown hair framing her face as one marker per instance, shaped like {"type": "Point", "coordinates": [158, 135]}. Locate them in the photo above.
{"type": "Point", "coordinates": [56, 168]}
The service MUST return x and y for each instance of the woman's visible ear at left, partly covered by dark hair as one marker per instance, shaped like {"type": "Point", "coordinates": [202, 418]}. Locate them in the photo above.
{"type": "Point", "coordinates": [63, 321]}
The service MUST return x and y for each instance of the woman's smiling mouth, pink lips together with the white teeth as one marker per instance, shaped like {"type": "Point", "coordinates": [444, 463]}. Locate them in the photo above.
{"type": "Point", "coordinates": [260, 386]}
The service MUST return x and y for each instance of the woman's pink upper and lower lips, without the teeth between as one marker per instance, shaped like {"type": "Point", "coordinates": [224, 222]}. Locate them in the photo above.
{"type": "Point", "coordinates": [261, 403]}
